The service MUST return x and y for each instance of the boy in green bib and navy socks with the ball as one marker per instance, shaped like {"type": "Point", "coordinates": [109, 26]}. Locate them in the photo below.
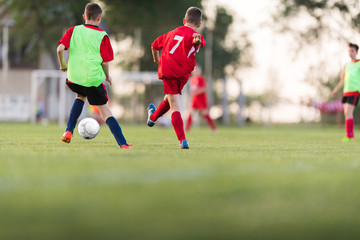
{"type": "Point", "coordinates": [89, 53]}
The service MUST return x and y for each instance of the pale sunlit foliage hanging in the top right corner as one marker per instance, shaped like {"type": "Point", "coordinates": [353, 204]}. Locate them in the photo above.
{"type": "Point", "coordinates": [323, 17]}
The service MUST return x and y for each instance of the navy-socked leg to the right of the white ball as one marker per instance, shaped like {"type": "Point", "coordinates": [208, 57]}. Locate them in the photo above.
{"type": "Point", "coordinates": [113, 125]}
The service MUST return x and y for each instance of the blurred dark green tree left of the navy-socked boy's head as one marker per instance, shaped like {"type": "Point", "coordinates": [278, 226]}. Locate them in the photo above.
{"type": "Point", "coordinates": [39, 24]}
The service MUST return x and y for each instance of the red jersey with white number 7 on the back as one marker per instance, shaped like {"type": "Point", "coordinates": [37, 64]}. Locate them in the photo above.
{"type": "Point", "coordinates": [178, 53]}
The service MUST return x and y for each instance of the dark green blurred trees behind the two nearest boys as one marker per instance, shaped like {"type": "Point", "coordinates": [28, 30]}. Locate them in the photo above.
{"type": "Point", "coordinates": [39, 24]}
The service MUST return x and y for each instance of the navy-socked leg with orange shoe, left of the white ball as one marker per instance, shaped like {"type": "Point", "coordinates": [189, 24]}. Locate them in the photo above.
{"type": "Point", "coordinates": [74, 115]}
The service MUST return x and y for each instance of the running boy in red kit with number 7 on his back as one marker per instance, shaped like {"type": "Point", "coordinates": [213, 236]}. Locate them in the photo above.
{"type": "Point", "coordinates": [179, 48]}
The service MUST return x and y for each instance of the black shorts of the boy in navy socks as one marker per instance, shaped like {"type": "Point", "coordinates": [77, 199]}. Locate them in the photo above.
{"type": "Point", "coordinates": [95, 95]}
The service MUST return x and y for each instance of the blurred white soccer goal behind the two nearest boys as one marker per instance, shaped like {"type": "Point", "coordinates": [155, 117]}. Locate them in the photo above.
{"type": "Point", "coordinates": [130, 94]}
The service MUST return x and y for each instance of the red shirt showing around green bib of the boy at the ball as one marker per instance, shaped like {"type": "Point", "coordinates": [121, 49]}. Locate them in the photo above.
{"type": "Point", "coordinates": [106, 50]}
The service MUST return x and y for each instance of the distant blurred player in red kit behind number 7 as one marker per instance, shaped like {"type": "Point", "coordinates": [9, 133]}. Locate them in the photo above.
{"type": "Point", "coordinates": [198, 99]}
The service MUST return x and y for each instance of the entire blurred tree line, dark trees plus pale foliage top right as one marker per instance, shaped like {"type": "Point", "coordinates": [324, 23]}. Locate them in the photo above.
{"type": "Point", "coordinates": [39, 24]}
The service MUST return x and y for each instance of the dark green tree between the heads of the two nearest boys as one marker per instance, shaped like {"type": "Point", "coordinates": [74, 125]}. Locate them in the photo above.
{"type": "Point", "coordinates": [152, 17]}
